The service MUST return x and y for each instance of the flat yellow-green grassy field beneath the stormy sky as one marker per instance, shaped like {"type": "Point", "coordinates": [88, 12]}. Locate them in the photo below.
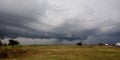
{"type": "Point", "coordinates": [59, 52]}
